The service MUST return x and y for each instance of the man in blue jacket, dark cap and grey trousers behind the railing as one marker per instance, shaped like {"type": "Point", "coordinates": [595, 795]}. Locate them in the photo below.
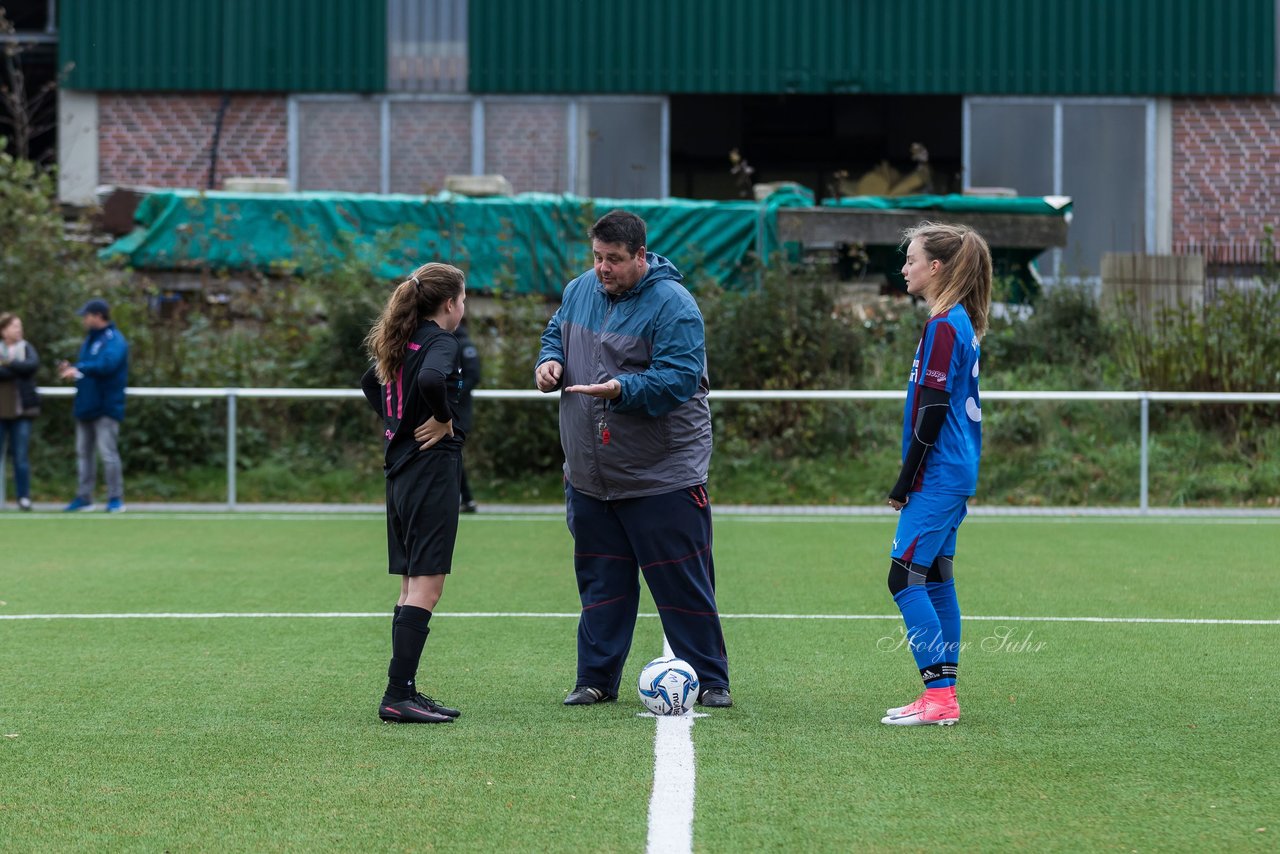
{"type": "Point", "coordinates": [100, 373]}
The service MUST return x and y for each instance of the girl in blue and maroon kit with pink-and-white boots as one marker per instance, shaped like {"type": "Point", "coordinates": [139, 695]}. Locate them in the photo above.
{"type": "Point", "coordinates": [949, 267]}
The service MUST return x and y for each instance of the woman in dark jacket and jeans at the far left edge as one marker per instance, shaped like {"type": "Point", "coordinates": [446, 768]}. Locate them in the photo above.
{"type": "Point", "coordinates": [20, 403]}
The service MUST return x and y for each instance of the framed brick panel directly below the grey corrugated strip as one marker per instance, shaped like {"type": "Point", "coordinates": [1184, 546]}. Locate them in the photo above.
{"type": "Point", "coordinates": [429, 141]}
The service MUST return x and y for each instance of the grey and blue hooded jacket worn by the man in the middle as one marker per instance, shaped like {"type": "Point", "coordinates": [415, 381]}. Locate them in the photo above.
{"type": "Point", "coordinates": [657, 436]}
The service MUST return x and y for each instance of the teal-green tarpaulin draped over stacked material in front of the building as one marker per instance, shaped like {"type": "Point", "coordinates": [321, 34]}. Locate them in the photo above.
{"type": "Point", "coordinates": [527, 244]}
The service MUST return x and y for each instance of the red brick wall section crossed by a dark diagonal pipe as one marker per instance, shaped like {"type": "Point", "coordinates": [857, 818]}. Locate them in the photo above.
{"type": "Point", "coordinates": [166, 140]}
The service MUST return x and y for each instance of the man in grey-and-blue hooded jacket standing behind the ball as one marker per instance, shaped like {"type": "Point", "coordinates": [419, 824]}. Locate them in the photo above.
{"type": "Point", "coordinates": [628, 348]}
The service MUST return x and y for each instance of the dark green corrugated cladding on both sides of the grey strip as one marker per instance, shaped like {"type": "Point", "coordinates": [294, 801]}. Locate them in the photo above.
{"type": "Point", "coordinates": [678, 47]}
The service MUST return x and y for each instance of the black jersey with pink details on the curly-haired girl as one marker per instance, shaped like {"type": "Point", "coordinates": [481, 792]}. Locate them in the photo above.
{"type": "Point", "coordinates": [426, 386]}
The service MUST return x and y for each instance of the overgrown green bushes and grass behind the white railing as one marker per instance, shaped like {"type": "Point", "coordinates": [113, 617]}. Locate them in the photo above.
{"type": "Point", "coordinates": [792, 331]}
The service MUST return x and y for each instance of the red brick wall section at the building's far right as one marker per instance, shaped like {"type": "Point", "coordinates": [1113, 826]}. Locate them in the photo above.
{"type": "Point", "coordinates": [1227, 181]}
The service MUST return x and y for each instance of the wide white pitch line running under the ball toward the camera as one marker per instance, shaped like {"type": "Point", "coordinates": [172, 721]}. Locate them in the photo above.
{"type": "Point", "coordinates": [671, 807]}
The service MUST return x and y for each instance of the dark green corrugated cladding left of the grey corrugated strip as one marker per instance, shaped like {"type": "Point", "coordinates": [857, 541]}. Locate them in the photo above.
{"type": "Point", "coordinates": [225, 45]}
